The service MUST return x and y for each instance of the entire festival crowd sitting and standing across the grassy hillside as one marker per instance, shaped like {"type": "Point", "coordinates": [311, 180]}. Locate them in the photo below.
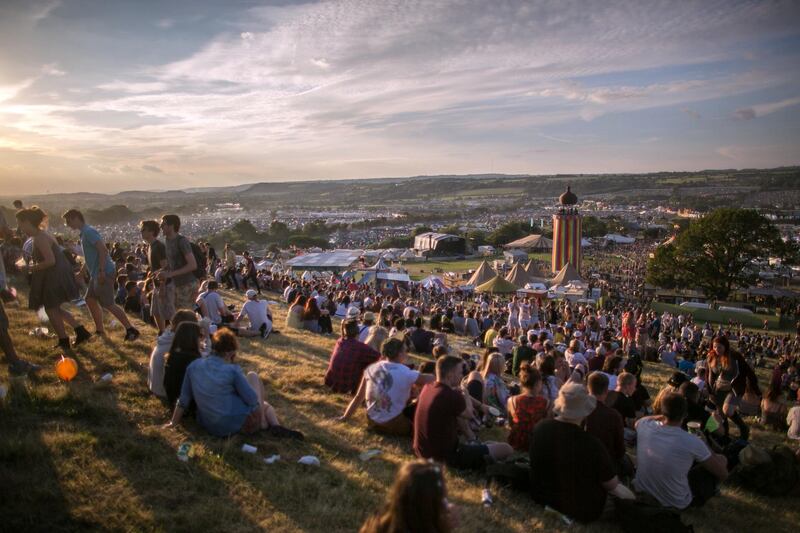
{"type": "Point", "coordinates": [565, 378]}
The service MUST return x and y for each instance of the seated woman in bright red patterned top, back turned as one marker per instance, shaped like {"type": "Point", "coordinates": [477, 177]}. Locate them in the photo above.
{"type": "Point", "coordinates": [526, 409]}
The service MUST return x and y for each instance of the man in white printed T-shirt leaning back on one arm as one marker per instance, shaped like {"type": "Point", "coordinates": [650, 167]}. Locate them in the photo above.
{"type": "Point", "coordinates": [386, 387]}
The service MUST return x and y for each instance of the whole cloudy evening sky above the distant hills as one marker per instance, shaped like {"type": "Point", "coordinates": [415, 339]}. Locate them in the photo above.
{"type": "Point", "coordinates": [104, 96]}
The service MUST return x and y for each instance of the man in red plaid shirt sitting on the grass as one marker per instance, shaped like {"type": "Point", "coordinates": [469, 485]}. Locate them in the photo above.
{"type": "Point", "coordinates": [348, 360]}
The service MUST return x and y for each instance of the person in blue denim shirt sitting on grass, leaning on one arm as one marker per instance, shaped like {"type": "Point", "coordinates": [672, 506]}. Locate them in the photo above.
{"type": "Point", "coordinates": [227, 402]}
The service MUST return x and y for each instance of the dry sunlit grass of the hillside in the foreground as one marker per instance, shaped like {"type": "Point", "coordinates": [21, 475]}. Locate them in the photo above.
{"type": "Point", "coordinates": [76, 456]}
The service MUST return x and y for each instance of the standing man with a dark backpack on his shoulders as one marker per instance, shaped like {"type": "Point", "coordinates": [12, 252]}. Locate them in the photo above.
{"type": "Point", "coordinates": [181, 263]}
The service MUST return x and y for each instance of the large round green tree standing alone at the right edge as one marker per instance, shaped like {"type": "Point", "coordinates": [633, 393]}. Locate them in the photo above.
{"type": "Point", "coordinates": [715, 253]}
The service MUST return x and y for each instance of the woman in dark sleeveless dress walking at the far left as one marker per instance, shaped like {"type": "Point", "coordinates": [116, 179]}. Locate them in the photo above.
{"type": "Point", "coordinates": [52, 280]}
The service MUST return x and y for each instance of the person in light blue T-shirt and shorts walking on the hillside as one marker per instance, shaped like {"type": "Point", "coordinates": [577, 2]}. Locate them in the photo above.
{"type": "Point", "coordinates": [98, 263]}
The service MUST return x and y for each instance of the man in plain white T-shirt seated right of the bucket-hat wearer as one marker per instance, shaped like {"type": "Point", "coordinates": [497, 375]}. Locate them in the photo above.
{"type": "Point", "coordinates": [673, 466]}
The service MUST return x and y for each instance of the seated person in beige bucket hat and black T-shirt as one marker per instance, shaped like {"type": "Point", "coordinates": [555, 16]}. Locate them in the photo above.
{"type": "Point", "coordinates": [571, 470]}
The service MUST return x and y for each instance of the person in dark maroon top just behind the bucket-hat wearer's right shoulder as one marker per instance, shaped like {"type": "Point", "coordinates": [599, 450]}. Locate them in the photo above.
{"type": "Point", "coordinates": [604, 422]}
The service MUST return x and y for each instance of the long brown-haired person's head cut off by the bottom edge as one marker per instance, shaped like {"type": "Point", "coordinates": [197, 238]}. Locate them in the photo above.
{"type": "Point", "coordinates": [417, 502]}
